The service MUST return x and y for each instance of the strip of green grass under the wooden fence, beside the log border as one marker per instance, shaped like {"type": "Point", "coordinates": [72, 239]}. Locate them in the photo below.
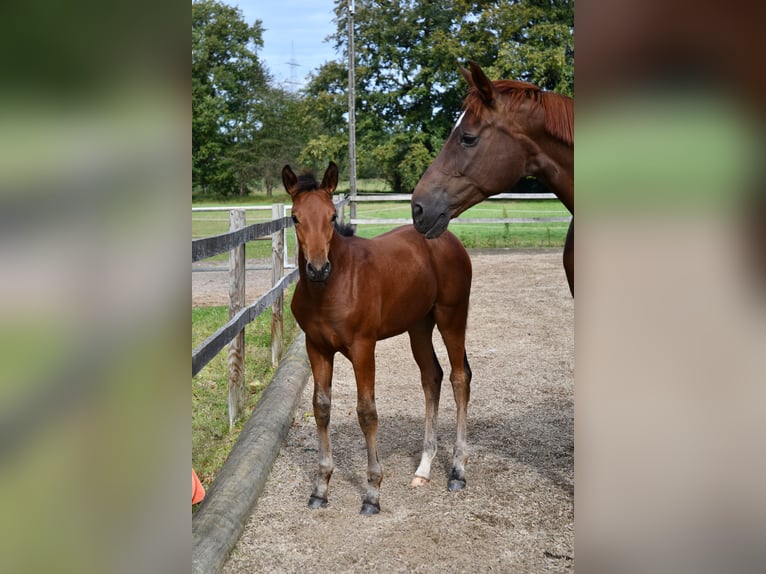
{"type": "Point", "coordinates": [211, 438]}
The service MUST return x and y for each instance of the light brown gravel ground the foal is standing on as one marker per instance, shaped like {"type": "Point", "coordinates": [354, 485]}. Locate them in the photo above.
{"type": "Point", "coordinates": [516, 514]}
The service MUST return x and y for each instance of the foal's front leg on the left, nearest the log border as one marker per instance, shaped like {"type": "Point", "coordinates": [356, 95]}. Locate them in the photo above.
{"type": "Point", "coordinates": [321, 367]}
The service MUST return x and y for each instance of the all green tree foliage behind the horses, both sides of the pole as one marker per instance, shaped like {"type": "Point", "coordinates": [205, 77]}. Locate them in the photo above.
{"type": "Point", "coordinates": [408, 92]}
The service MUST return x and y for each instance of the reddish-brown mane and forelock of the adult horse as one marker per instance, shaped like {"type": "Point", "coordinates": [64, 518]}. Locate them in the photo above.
{"type": "Point", "coordinates": [558, 109]}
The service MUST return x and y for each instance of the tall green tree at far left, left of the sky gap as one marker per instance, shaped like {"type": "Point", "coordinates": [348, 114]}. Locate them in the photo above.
{"type": "Point", "coordinates": [227, 82]}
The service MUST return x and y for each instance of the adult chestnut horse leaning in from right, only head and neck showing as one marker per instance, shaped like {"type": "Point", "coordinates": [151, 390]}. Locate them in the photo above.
{"type": "Point", "coordinates": [508, 130]}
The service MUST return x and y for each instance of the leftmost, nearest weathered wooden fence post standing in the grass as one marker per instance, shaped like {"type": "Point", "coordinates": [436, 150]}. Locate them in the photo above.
{"type": "Point", "coordinates": [237, 394]}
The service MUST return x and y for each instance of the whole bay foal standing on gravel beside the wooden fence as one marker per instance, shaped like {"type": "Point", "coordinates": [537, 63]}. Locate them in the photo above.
{"type": "Point", "coordinates": [354, 292]}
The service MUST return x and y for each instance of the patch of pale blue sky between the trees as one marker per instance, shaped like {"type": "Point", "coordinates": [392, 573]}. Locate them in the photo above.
{"type": "Point", "coordinates": [295, 30]}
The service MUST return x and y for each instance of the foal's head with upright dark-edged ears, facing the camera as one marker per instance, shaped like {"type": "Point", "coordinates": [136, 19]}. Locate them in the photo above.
{"type": "Point", "coordinates": [314, 216]}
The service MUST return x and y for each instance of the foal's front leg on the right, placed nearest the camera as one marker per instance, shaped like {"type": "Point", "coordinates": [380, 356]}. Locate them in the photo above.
{"type": "Point", "coordinates": [362, 356]}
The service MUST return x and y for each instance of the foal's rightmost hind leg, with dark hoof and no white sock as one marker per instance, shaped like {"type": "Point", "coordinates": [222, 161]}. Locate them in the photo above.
{"type": "Point", "coordinates": [452, 324]}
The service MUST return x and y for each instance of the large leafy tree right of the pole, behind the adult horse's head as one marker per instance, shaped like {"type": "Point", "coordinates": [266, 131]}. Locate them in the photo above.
{"type": "Point", "coordinates": [409, 90]}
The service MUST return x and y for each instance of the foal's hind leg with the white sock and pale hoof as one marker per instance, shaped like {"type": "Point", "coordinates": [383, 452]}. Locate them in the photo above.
{"type": "Point", "coordinates": [431, 375]}
